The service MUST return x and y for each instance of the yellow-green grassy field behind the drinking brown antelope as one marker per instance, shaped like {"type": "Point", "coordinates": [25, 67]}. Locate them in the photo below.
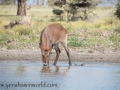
{"type": "Point", "coordinates": [96, 33]}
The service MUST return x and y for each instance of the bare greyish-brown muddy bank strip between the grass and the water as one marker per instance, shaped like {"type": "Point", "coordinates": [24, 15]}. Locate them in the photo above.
{"type": "Point", "coordinates": [75, 56]}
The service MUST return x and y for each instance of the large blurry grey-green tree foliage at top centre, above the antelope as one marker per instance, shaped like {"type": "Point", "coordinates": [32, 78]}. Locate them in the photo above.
{"type": "Point", "coordinates": [72, 7]}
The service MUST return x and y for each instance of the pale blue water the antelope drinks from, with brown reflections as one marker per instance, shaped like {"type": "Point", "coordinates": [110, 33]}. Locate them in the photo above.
{"type": "Point", "coordinates": [31, 75]}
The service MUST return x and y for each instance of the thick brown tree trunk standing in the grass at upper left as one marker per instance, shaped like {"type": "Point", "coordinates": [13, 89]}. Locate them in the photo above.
{"type": "Point", "coordinates": [21, 10]}
